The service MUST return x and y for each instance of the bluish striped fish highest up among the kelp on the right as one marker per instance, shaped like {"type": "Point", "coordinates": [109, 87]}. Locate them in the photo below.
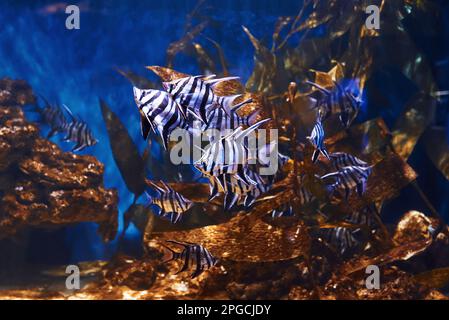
{"type": "Point", "coordinates": [339, 101]}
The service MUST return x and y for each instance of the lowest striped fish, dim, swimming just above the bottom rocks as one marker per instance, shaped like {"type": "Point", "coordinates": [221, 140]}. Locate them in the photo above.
{"type": "Point", "coordinates": [194, 256]}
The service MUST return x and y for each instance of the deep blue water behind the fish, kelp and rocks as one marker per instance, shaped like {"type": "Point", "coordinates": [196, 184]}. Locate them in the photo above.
{"type": "Point", "coordinates": [76, 67]}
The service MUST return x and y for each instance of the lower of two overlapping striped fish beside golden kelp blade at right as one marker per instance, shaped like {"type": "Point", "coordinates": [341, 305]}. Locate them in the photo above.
{"type": "Point", "coordinates": [350, 178]}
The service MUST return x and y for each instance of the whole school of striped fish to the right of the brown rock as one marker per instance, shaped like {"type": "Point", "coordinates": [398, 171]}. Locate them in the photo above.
{"type": "Point", "coordinates": [225, 160]}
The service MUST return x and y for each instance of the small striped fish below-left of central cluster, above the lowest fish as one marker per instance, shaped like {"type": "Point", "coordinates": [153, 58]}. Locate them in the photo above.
{"type": "Point", "coordinates": [171, 204]}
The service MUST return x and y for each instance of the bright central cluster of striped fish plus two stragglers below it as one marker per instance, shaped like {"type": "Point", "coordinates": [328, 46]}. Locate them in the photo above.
{"type": "Point", "coordinates": [224, 162]}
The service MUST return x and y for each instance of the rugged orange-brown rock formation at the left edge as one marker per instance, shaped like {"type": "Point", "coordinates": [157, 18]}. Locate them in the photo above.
{"type": "Point", "coordinates": [40, 185]}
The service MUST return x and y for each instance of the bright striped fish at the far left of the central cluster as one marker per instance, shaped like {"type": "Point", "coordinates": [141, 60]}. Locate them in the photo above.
{"type": "Point", "coordinates": [158, 111]}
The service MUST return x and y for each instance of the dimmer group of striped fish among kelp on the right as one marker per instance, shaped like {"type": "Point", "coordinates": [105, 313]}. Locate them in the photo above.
{"type": "Point", "coordinates": [349, 174]}
